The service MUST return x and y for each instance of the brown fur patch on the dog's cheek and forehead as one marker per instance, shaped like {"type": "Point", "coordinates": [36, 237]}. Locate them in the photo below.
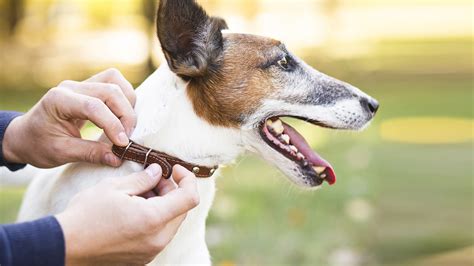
{"type": "Point", "coordinates": [226, 97]}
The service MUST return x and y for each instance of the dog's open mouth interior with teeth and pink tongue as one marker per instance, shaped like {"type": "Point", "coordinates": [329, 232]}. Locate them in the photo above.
{"type": "Point", "coordinates": [287, 141]}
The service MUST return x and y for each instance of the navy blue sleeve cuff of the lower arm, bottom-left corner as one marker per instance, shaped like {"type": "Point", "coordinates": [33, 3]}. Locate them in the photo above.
{"type": "Point", "coordinates": [40, 242]}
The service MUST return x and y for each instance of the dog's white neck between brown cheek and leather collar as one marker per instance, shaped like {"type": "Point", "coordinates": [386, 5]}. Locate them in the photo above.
{"type": "Point", "coordinates": [167, 122]}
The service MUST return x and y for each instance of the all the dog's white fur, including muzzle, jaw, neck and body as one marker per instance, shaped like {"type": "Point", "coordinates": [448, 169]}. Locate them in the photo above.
{"type": "Point", "coordinates": [168, 123]}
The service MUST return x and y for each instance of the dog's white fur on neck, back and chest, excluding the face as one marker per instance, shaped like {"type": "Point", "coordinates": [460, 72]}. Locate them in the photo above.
{"type": "Point", "coordinates": [166, 122]}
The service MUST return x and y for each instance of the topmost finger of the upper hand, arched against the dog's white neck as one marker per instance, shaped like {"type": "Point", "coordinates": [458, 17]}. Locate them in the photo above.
{"type": "Point", "coordinates": [114, 76]}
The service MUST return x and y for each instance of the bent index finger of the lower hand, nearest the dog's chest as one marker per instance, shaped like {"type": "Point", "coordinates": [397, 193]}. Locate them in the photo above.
{"type": "Point", "coordinates": [180, 200]}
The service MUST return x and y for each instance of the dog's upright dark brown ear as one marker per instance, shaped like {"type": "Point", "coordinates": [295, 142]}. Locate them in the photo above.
{"type": "Point", "coordinates": [191, 40]}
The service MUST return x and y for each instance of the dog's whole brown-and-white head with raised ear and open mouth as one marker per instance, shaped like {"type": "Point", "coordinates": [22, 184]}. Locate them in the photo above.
{"type": "Point", "coordinates": [248, 82]}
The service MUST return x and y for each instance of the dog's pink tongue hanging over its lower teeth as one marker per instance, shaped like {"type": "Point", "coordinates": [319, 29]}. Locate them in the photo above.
{"type": "Point", "coordinates": [313, 158]}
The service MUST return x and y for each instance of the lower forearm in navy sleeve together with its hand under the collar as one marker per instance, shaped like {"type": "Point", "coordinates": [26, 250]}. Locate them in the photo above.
{"type": "Point", "coordinates": [106, 224]}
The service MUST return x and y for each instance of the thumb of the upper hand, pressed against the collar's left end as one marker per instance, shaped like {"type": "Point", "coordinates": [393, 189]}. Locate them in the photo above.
{"type": "Point", "coordinates": [92, 152]}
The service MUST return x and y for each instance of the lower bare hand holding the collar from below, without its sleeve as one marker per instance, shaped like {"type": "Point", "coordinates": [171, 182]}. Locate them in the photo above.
{"type": "Point", "coordinates": [110, 224]}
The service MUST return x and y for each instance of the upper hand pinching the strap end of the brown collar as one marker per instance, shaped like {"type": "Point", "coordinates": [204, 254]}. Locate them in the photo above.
{"type": "Point", "coordinates": [49, 134]}
